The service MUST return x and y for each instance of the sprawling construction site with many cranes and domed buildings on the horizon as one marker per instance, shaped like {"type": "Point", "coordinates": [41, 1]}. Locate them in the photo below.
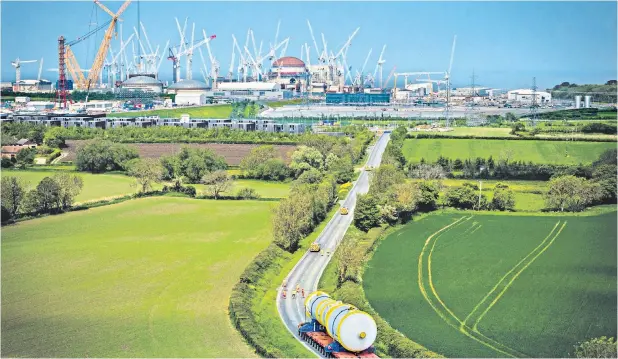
{"type": "Point", "coordinates": [127, 68]}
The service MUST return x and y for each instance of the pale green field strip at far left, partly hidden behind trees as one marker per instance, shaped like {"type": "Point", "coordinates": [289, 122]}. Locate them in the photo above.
{"type": "Point", "coordinates": [96, 186]}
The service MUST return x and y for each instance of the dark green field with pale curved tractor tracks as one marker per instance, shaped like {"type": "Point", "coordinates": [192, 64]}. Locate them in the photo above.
{"type": "Point", "coordinates": [495, 285]}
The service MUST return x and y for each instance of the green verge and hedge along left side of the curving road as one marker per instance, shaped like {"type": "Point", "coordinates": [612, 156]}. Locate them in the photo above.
{"type": "Point", "coordinates": [253, 308]}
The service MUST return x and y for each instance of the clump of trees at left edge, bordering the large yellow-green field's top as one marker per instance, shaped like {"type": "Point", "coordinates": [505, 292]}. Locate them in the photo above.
{"type": "Point", "coordinates": [52, 195]}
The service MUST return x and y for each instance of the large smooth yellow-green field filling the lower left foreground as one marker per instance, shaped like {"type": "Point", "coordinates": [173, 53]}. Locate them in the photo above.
{"type": "Point", "coordinates": [145, 278]}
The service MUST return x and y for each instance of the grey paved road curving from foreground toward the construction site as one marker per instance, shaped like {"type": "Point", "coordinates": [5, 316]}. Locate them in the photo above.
{"type": "Point", "coordinates": [309, 269]}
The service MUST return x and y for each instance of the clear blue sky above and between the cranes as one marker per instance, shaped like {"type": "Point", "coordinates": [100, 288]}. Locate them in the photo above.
{"type": "Point", "coordinates": [505, 43]}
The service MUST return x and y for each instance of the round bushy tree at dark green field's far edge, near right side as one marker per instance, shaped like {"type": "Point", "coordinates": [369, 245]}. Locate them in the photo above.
{"type": "Point", "coordinates": [572, 193]}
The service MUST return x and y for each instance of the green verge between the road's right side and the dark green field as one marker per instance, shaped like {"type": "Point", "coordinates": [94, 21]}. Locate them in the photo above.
{"type": "Point", "coordinates": [389, 342]}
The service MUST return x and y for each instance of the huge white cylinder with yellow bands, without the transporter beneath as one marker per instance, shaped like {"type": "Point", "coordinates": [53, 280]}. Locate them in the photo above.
{"type": "Point", "coordinates": [355, 330]}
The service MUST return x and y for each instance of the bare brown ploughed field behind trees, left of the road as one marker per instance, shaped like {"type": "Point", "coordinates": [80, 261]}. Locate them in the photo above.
{"type": "Point", "coordinates": [233, 153]}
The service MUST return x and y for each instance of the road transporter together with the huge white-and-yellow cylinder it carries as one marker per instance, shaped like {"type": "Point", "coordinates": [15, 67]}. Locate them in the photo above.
{"type": "Point", "coordinates": [336, 329]}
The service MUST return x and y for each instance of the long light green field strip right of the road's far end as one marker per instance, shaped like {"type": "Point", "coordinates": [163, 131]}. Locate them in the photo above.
{"type": "Point", "coordinates": [551, 152]}
